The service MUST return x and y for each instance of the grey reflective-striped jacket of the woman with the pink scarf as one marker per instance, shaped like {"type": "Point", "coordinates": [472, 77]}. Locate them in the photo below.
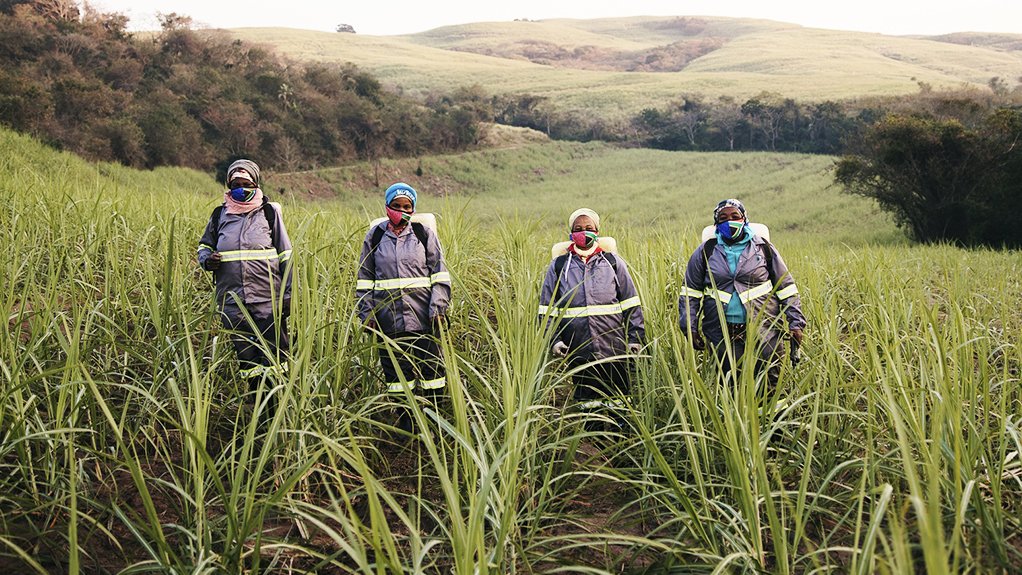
{"type": "Point", "coordinates": [253, 267]}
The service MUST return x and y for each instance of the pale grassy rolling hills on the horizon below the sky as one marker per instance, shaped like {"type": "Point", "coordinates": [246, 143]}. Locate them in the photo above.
{"type": "Point", "coordinates": [617, 67]}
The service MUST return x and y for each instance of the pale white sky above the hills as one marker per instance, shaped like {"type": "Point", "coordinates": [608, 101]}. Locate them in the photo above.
{"type": "Point", "coordinates": [383, 18]}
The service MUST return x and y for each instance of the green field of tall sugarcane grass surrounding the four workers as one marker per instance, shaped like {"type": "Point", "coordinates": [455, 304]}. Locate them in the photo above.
{"type": "Point", "coordinates": [125, 443]}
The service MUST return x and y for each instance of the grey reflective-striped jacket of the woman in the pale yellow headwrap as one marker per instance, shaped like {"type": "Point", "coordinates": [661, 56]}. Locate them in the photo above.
{"type": "Point", "coordinates": [597, 311]}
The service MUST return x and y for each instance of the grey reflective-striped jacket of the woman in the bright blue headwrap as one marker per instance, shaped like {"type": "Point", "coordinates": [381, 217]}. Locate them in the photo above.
{"type": "Point", "coordinates": [403, 284]}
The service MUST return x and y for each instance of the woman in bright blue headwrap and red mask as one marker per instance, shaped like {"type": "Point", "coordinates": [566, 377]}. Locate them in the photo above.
{"type": "Point", "coordinates": [403, 291]}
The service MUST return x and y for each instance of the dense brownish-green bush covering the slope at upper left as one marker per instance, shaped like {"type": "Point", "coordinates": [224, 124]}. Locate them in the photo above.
{"type": "Point", "coordinates": [76, 79]}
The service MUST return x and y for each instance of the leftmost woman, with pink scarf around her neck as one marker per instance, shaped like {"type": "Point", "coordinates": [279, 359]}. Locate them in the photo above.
{"type": "Point", "coordinates": [247, 249]}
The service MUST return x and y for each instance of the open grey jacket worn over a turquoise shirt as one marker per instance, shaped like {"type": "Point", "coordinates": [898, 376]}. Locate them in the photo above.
{"type": "Point", "coordinates": [706, 287]}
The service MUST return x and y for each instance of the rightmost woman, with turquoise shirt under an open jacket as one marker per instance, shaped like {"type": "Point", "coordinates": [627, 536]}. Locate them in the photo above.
{"type": "Point", "coordinates": [740, 274]}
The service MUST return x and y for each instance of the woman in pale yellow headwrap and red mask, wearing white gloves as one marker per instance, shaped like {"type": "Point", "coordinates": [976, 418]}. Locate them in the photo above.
{"type": "Point", "coordinates": [591, 304]}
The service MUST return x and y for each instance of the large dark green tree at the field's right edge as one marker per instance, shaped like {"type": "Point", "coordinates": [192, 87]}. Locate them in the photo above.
{"type": "Point", "coordinates": [941, 180]}
